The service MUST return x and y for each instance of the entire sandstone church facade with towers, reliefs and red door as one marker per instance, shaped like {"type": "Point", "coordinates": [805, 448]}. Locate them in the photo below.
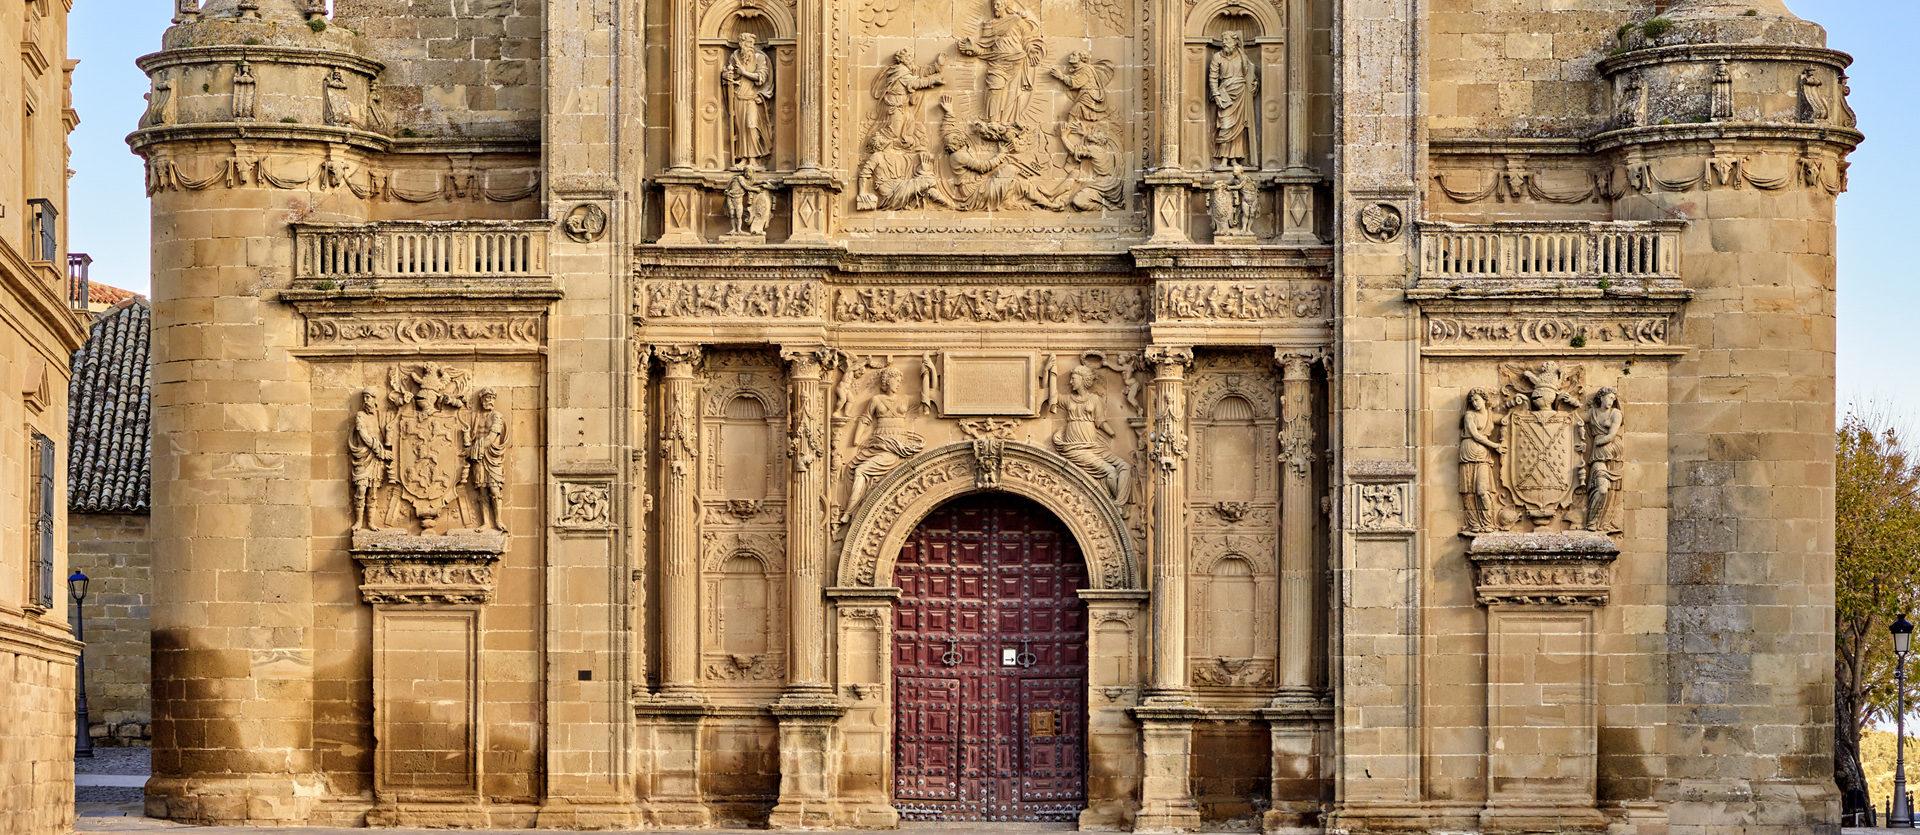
{"type": "Point", "coordinates": [1141, 414]}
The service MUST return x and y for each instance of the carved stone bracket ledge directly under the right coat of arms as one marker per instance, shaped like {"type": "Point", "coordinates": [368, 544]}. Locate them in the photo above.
{"type": "Point", "coordinates": [1573, 569]}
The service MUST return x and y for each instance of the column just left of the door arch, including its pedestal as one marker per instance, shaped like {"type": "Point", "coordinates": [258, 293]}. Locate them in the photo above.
{"type": "Point", "coordinates": [807, 711]}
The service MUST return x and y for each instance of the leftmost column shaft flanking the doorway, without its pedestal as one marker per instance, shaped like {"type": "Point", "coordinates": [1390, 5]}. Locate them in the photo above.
{"type": "Point", "coordinates": [679, 512]}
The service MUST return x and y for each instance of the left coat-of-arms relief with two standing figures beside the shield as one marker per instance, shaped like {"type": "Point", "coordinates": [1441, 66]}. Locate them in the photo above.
{"type": "Point", "coordinates": [435, 465]}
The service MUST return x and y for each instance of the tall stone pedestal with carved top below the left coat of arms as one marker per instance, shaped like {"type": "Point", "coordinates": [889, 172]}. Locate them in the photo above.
{"type": "Point", "coordinates": [429, 596]}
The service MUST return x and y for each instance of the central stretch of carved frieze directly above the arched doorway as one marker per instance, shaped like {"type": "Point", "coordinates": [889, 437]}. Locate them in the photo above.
{"type": "Point", "coordinates": [990, 304]}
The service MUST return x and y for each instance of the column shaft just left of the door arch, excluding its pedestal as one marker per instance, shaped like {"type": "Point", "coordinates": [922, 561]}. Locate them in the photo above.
{"type": "Point", "coordinates": [807, 506]}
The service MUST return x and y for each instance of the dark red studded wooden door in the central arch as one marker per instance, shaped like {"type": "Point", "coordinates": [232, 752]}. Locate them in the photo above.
{"type": "Point", "coordinates": [990, 665]}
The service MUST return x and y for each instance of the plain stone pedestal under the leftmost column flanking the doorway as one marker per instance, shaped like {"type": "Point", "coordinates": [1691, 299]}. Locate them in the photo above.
{"type": "Point", "coordinates": [671, 763]}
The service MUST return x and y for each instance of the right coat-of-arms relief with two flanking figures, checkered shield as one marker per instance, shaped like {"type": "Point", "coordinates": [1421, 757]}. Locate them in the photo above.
{"type": "Point", "coordinates": [1543, 452]}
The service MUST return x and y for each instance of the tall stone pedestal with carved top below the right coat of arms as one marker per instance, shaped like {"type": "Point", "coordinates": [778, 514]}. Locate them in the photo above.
{"type": "Point", "coordinates": [1541, 596]}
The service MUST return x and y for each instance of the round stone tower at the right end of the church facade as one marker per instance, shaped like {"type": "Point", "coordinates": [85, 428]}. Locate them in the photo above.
{"type": "Point", "coordinates": [1744, 133]}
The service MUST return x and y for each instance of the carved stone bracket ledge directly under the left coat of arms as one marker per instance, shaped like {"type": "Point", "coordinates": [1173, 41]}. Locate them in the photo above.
{"type": "Point", "coordinates": [427, 569]}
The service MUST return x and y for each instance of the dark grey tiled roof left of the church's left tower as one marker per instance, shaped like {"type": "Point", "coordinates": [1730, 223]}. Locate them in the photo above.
{"type": "Point", "coordinates": [110, 423]}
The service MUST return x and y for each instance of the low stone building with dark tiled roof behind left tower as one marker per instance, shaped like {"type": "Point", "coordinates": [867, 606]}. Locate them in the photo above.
{"type": "Point", "coordinates": [108, 500]}
